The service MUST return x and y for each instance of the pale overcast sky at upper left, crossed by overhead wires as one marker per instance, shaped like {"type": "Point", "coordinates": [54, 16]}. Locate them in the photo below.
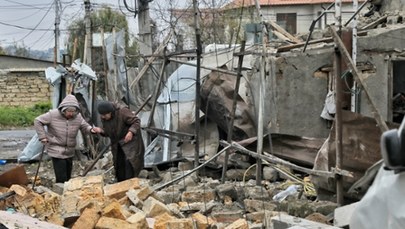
{"type": "Point", "coordinates": [32, 23]}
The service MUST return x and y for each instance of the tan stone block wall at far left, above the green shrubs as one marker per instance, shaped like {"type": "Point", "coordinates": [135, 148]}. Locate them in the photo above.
{"type": "Point", "coordinates": [23, 88]}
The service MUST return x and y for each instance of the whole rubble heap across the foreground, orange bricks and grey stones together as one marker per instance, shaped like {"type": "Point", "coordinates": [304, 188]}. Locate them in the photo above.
{"type": "Point", "coordinates": [193, 202]}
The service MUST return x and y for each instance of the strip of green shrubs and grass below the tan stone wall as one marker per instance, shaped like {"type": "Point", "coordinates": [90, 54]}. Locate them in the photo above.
{"type": "Point", "coordinates": [21, 116]}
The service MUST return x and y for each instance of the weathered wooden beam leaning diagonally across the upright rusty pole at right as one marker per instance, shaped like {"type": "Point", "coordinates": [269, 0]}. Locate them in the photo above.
{"type": "Point", "coordinates": [359, 79]}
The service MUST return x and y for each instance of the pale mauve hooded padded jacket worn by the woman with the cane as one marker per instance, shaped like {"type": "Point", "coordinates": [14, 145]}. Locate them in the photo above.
{"type": "Point", "coordinates": [61, 132]}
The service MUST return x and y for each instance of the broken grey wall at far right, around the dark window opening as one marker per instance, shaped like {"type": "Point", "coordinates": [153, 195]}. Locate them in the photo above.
{"type": "Point", "coordinates": [379, 48]}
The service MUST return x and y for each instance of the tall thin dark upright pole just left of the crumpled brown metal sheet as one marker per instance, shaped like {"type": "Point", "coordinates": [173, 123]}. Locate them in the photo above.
{"type": "Point", "coordinates": [197, 84]}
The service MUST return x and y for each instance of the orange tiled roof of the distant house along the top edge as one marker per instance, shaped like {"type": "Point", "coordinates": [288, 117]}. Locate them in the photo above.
{"type": "Point", "coordinates": [240, 3]}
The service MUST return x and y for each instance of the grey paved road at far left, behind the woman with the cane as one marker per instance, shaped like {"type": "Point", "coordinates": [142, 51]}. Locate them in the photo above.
{"type": "Point", "coordinates": [13, 142]}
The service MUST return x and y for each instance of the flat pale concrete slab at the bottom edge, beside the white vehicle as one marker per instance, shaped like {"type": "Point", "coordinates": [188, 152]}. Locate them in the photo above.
{"type": "Point", "coordinates": [286, 221]}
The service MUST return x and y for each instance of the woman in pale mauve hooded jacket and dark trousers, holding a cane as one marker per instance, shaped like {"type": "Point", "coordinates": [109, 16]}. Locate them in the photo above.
{"type": "Point", "coordinates": [59, 136]}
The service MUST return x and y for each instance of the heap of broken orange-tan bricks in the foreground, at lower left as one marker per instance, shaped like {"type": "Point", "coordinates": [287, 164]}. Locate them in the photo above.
{"type": "Point", "coordinates": [87, 203]}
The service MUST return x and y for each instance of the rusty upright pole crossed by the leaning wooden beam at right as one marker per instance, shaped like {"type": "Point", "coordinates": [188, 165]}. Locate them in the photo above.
{"type": "Point", "coordinates": [338, 115]}
